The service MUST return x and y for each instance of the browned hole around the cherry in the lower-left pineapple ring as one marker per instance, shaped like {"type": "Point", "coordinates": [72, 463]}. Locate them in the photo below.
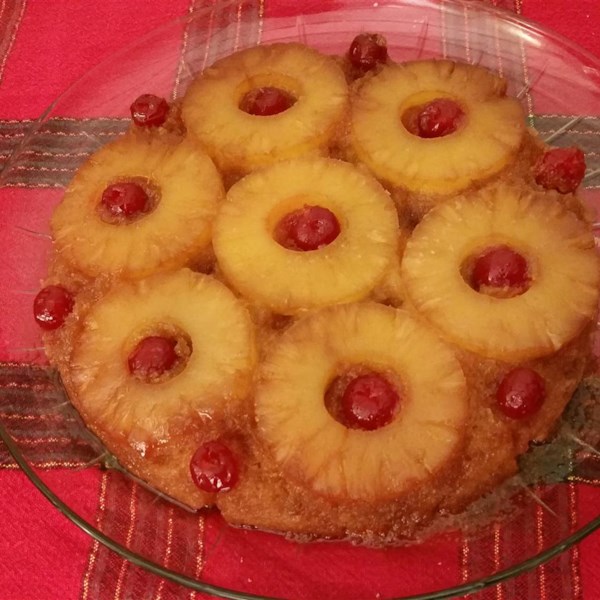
{"type": "Point", "coordinates": [182, 346]}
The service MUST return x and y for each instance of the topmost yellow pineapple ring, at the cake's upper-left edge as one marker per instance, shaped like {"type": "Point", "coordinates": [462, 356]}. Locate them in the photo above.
{"type": "Point", "coordinates": [240, 141]}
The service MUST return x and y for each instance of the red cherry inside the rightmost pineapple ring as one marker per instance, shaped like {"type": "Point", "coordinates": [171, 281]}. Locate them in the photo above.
{"type": "Point", "coordinates": [500, 267]}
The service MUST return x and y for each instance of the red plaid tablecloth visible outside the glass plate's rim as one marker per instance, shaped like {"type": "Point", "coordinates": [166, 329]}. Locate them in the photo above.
{"type": "Point", "coordinates": [44, 46]}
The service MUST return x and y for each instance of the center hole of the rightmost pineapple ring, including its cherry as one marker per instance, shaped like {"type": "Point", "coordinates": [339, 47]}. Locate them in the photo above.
{"type": "Point", "coordinates": [497, 270]}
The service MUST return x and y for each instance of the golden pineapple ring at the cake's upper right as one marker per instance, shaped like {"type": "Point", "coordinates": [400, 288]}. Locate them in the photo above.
{"type": "Point", "coordinates": [486, 142]}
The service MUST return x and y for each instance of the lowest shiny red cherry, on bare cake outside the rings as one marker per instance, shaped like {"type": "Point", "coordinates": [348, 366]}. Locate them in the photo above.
{"type": "Point", "coordinates": [214, 468]}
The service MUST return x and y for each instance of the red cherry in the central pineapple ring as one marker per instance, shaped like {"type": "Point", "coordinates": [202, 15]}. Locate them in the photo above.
{"type": "Point", "coordinates": [308, 228]}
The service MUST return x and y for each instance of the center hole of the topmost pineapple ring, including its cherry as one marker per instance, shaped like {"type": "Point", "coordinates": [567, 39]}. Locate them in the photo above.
{"type": "Point", "coordinates": [267, 94]}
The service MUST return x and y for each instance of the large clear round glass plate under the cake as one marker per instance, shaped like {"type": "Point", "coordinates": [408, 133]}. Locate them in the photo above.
{"type": "Point", "coordinates": [202, 552]}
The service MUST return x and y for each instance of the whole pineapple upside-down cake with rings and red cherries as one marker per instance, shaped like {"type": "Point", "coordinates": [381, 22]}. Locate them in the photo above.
{"type": "Point", "coordinates": [334, 297]}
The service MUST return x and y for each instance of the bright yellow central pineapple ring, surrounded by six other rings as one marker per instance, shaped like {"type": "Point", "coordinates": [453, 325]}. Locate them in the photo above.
{"type": "Point", "coordinates": [343, 271]}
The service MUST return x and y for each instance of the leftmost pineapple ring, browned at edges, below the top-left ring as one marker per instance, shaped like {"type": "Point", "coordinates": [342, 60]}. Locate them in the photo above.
{"type": "Point", "coordinates": [175, 232]}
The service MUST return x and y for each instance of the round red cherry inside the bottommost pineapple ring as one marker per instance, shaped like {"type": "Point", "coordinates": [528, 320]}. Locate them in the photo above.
{"type": "Point", "coordinates": [369, 402]}
